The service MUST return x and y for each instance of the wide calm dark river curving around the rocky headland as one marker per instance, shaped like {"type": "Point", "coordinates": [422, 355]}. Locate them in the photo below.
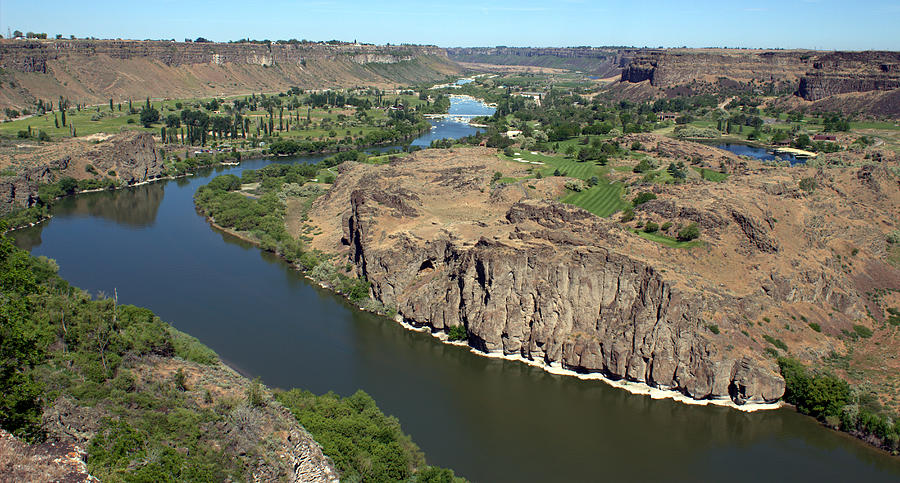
{"type": "Point", "coordinates": [488, 419]}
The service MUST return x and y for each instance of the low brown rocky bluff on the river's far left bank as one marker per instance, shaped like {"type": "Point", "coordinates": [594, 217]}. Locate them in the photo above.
{"type": "Point", "coordinates": [129, 157]}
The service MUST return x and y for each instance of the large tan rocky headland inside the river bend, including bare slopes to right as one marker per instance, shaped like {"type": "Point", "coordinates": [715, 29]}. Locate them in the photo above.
{"type": "Point", "coordinates": [533, 278]}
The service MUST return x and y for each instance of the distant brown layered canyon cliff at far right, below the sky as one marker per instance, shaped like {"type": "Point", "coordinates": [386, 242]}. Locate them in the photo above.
{"type": "Point", "coordinates": [851, 82]}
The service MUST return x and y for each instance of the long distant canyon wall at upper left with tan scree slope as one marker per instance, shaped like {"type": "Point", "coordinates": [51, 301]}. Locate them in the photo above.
{"type": "Point", "coordinates": [93, 71]}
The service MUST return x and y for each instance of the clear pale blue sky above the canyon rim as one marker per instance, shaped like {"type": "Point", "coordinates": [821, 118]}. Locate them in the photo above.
{"type": "Point", "coordinates": [819, 24]}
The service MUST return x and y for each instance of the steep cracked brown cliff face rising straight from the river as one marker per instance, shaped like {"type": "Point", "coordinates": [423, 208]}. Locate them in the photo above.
{"type": "Point", "coordinates": [579, 304]}
